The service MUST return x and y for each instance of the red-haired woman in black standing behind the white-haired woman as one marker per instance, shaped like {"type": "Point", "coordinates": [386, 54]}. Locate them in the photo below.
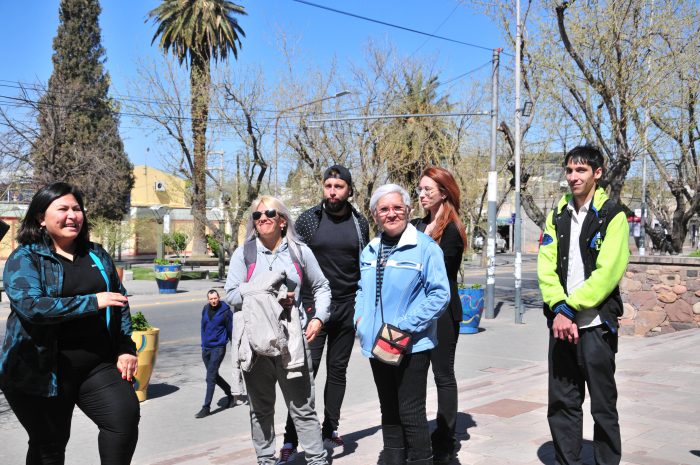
{"type": "Point", "coordinates": [439, 196]}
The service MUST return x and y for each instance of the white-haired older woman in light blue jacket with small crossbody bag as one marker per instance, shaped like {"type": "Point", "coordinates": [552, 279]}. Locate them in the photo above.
{"type": "Point", "coordinates": [404, 284]}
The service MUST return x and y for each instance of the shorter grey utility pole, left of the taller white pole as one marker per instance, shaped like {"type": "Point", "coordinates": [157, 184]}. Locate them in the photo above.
{"type": "Point", "coordinates": [492, 193]}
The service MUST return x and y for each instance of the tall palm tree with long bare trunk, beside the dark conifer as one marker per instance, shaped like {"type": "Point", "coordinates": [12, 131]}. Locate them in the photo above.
{"type": "Point", "coordinates": [197, 31]}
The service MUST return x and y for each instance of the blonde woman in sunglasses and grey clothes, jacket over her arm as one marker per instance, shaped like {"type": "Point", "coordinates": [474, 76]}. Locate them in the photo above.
{"type": "Point", "coordinates": [277, 253]}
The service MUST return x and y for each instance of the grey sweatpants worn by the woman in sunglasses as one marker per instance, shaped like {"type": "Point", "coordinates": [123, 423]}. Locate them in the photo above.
{"type": "Point", "coordinates": [300, 398]}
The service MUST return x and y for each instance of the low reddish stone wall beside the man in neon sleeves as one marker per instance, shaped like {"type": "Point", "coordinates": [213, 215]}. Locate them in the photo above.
{"type": "Point", "coordinates": [661, 294]}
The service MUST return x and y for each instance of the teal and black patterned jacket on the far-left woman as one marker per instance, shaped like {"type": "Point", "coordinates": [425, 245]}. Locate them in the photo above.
{"type": "Point", "coordinates": [33, 280]}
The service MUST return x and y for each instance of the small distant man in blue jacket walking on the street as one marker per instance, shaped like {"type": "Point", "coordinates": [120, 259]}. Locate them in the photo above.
{"type": "Point", "coordinates": [217, 327]}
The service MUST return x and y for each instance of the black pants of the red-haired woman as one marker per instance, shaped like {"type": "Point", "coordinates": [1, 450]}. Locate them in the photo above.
{"type": "Point", "coordinates": [442, 359]}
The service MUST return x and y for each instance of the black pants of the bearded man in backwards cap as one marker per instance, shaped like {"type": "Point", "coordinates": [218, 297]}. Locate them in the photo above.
{"type": "Point", "coordinates": [340, 334]}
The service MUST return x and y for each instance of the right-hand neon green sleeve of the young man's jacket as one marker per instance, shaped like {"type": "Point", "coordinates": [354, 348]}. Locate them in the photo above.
{"type": "Point", "coordinates": [610, 267]}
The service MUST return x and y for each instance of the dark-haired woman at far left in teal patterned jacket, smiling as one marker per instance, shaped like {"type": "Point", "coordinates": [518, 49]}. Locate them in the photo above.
{"type": "Point", "coordinates": [68, 337]}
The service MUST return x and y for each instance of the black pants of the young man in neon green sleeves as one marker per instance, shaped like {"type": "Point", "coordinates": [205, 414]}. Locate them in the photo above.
{"type": "Point", "coordinates": [571, 367]}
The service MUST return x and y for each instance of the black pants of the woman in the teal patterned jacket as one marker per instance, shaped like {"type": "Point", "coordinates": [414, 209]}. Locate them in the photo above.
{"type": "Point", "coordinates": [106, 398]}
